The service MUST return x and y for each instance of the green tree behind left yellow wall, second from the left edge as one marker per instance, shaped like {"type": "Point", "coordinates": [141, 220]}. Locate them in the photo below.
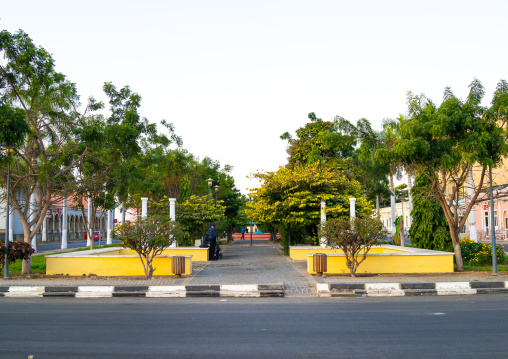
{"type": "Point", "coordinates": [112, 143]}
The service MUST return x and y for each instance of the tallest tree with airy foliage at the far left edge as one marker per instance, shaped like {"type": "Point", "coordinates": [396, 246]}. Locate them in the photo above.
{"type": "Point", "coordinates": [42, 166]}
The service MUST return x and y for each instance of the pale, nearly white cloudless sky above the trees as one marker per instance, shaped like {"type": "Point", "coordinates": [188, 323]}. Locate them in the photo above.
{"type": "Point", "coordinates": [233, 76]}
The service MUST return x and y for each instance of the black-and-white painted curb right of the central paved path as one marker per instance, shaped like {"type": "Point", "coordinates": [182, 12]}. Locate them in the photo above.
{"type": "Point", "coordinates": [409, 289]}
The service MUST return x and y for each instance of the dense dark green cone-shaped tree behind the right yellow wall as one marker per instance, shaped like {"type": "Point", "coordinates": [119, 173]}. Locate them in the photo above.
{"type": "Point", "coordinates": [429, 229]}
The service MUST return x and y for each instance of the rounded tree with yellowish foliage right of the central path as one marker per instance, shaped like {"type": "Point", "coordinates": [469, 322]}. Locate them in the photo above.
{"type": "Point", "coordinates": [292, 196]}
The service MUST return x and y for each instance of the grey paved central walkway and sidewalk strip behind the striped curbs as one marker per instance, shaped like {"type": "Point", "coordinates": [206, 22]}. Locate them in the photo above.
{"type": "Point", "coordinates": [262, 264]}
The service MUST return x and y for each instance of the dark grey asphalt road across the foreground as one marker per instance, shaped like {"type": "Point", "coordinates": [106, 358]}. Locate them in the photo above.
{"type": "Point", "coordinates": [425, 327]}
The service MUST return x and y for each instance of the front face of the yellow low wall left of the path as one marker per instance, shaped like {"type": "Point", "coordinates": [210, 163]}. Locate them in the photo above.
{"type": "Point", "coordinates": [110, 266]}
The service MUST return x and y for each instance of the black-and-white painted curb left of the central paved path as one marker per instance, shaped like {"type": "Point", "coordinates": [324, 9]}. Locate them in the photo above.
{"type": "Point", "coordinates": [175, 291]}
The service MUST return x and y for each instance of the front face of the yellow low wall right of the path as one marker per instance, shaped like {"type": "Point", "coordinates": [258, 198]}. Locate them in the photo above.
{"type": "Point", "coordinates": [390, 264]}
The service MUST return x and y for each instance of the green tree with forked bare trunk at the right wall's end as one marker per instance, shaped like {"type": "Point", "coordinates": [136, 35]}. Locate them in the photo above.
{"type": "Point", "coordinates": [444, 142]}
